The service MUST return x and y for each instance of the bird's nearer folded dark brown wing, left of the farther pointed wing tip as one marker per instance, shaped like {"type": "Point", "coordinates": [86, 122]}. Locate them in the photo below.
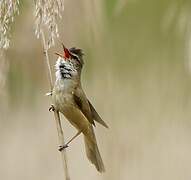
{"type": "Point", "coordinates": [82, 103]}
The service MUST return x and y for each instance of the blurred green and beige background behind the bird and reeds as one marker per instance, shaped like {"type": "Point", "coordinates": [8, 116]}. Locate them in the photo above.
{"type": "Point", "coordinates": [137, 74]}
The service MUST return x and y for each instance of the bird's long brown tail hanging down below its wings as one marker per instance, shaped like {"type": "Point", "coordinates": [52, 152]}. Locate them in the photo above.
{"type": "Point", "coordinates": [92, 151]}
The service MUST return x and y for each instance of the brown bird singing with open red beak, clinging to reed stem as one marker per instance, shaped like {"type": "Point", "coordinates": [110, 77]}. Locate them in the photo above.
{"type": "Point", "coordinates": [70, 100]}
